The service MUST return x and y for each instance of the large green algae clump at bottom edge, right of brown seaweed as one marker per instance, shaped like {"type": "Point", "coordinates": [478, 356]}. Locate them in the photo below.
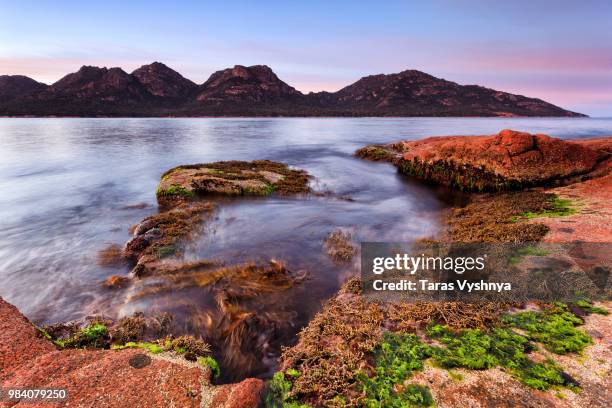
{"type": "Point", "coordinates": [395, 360]}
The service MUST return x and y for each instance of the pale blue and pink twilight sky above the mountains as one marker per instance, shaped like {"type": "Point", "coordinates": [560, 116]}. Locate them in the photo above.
{"type": "Point", "coordinates": [559, 51]}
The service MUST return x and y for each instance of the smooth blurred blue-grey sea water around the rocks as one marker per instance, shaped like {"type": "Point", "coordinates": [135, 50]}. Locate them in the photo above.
{"type": "Point", "coordinates": [69, 186]}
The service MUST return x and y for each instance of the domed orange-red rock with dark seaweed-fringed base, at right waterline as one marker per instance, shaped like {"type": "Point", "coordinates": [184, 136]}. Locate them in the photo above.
{"type": "Point", "coordinates": [508, 160]}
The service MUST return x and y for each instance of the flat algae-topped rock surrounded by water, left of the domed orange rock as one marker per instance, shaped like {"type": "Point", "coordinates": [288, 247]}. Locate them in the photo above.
{"type": "Point", "coordinates": [258, 177]}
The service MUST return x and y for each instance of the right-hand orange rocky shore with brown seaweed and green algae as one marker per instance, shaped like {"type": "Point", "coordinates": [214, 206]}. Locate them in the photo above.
{"type": "Point", "coordinates": [448, 354]}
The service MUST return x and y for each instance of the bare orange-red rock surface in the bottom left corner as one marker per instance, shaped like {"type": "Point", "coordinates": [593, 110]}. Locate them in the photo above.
{"type": "Point", "coordinates": [106, 378]}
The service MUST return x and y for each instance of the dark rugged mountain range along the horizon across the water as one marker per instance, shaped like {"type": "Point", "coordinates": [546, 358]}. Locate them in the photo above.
{"type": "Point", "coordinates": [157, 90]}
